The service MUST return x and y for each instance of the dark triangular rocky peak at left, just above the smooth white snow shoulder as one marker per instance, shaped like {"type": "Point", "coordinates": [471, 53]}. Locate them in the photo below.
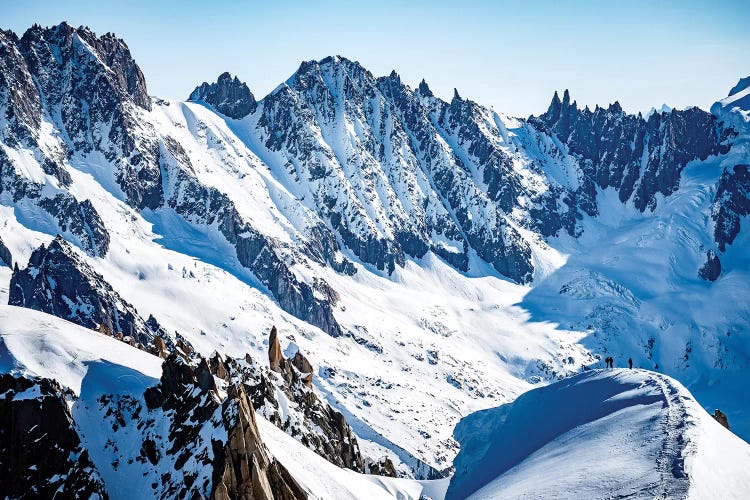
{"type": "Point", "coordinates": [60, 282]}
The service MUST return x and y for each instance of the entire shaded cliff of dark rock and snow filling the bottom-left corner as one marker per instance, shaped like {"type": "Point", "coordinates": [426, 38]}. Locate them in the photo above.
{"type": "Point", "coordinates": [181, 438]}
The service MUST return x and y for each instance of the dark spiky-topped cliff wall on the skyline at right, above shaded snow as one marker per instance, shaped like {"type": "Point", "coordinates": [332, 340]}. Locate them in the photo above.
{"type": "Point", "coordinates": [638, 157]}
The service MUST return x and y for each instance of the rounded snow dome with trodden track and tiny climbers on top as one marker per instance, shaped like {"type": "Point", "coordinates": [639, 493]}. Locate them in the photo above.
{"type": "Point", "coordinates": [601, 434]}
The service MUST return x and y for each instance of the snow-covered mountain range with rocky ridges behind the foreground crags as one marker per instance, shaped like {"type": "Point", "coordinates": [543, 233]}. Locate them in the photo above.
{"type": "Point", "coordinates": [429, 258]}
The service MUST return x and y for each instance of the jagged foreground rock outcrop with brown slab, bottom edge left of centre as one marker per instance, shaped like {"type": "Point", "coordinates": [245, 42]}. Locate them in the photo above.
{"type": "Point", "coordinates": [241, 466]}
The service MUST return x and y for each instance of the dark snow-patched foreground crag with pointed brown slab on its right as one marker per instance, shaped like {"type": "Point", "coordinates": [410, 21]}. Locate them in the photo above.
{"type": "Point", "coordinates": [199, 464]}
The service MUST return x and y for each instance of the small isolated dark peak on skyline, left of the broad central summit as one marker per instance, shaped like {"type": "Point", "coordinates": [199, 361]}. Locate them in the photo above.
{"type": "Point", "coordinates": [229, 96]}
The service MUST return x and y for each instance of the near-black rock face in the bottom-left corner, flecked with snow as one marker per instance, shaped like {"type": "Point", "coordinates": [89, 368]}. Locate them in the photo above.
{"type": "Point", "coordinates": [41, 454]}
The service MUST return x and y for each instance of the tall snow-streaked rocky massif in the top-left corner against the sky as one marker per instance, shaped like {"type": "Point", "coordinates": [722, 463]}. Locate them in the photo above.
{"type": "Point", "coordinates": [95, 87]}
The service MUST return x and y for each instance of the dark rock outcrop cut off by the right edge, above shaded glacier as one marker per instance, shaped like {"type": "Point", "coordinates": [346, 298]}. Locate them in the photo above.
{"type": "Point", "coordinates": [731, 203]}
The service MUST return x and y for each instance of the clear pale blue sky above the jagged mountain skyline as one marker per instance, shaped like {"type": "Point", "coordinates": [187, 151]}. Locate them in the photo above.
{"type": "Point", "coordinates": [510, 55]}
